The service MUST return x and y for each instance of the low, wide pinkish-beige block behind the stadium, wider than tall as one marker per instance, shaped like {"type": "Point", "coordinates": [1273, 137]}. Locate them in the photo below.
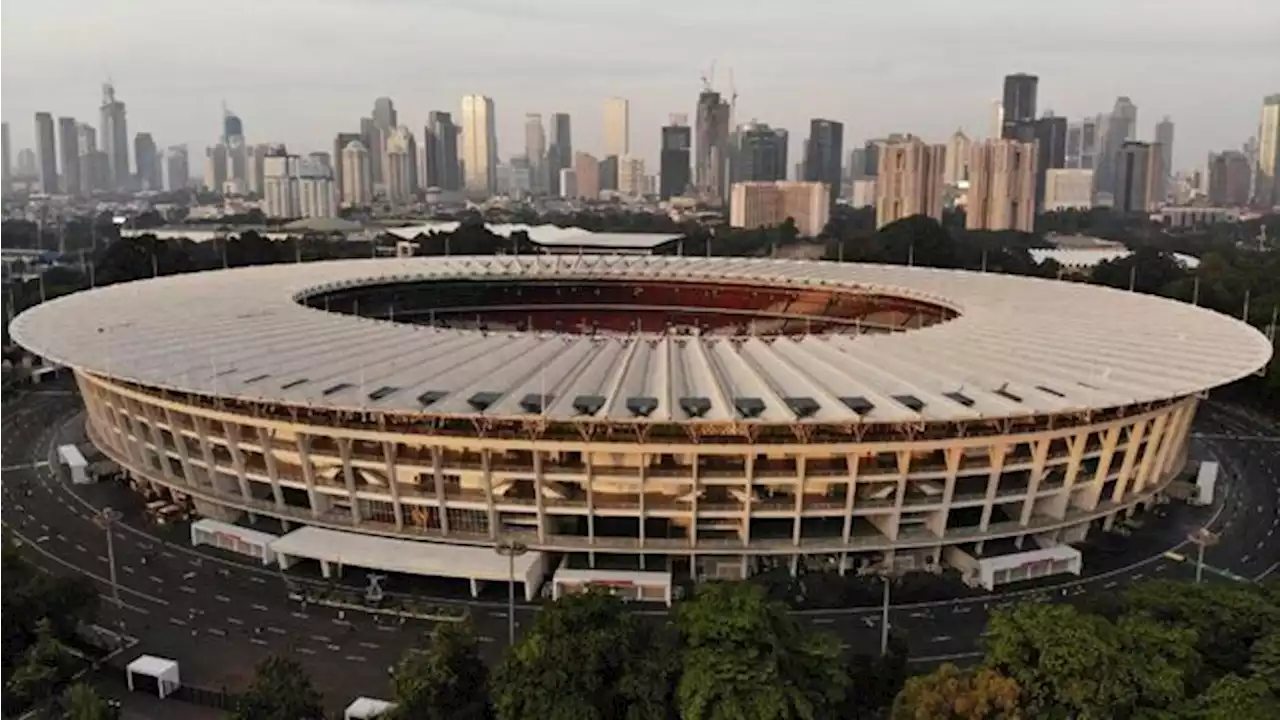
{"type": "Point", "coordinates": [770, 204]}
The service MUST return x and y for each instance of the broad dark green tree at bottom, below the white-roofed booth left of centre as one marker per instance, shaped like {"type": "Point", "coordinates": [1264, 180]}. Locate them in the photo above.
{"type": "Point", "coordinates": [588, 659]}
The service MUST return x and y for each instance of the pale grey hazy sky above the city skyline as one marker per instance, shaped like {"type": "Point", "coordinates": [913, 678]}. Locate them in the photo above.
{"type": "Point", "coordinates": [300, 71]}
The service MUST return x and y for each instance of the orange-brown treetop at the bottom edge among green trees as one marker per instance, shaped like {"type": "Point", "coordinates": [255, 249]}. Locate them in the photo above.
{"type": "Point", "coordinates": [950, 694]}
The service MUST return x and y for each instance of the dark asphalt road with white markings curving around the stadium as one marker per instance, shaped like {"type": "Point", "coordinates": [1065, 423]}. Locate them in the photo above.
{"type": "Point", "coordinates": [220, 616]}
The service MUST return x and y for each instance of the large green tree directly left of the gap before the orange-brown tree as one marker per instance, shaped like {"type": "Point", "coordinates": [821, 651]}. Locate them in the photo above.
{"type": "Point", "coordinates": [747, 659]}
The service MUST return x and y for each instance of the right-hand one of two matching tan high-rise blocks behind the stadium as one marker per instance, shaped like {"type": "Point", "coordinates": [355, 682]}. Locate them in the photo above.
{"type": "Point", "coordinates": [1002, 186]}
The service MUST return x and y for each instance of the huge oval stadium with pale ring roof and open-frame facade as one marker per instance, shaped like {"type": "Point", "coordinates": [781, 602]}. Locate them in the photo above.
{"type": "Point", "coordinates": [707, 417]}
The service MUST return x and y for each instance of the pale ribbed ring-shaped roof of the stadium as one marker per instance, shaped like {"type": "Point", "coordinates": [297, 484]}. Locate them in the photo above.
{"type": "Point", "coordinates": [1020, 347]}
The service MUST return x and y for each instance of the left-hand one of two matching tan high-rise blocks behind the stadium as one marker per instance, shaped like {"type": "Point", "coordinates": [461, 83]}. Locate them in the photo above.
{"type": "Point", "coordinates": [909, 180]}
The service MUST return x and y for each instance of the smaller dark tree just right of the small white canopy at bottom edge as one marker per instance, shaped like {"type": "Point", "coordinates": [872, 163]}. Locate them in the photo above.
{"type": "Point", "coordinates": [445, 682]}
